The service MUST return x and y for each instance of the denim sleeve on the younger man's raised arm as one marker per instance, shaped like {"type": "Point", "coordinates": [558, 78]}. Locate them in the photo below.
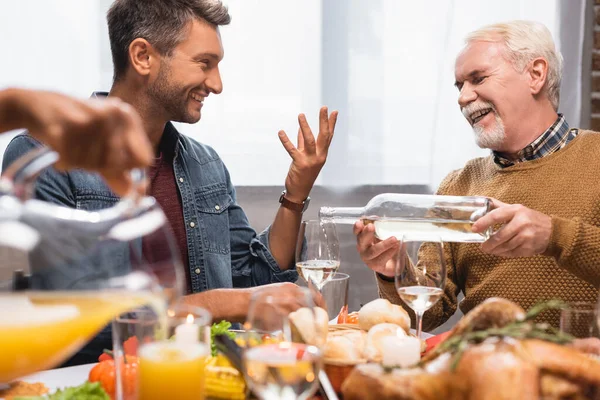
{"type": "Point", "coordinates": [252, 263]}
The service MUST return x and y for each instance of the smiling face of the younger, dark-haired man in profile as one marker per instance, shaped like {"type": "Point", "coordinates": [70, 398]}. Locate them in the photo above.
{"type": "Point", "coordinates": [186, 77]}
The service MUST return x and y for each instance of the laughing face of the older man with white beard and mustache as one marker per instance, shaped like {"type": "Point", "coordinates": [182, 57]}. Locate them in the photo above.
{"type": "Point", "coordinates": [494, 96]}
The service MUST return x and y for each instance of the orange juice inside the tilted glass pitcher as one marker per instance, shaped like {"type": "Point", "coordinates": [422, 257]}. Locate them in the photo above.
{"type": "Point", "coordinates": [39, 330]}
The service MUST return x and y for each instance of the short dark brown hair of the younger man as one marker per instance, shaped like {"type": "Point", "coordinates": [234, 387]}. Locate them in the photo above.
{"type": "Point", "coordinates": [161, 22]}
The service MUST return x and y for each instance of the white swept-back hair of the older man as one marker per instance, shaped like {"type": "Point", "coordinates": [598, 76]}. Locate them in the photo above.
{"type": "Point", "coordinates": [525, 41]}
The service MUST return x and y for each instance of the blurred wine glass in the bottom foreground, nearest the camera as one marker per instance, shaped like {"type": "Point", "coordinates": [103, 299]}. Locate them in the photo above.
{"type": "Point", "coordinates": [280, 361]}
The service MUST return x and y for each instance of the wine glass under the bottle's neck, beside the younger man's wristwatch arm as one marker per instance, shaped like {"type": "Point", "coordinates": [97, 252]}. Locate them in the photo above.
{"type": "Point", "coordinates": [317, 252]}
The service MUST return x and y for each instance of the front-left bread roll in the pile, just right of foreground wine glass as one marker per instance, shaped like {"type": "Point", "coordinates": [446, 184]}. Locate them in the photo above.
{"type": "Point", "coordinates": [345, 346]}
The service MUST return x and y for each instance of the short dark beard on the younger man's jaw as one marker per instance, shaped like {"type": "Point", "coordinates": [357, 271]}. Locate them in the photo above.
{"type": "Point", "coordinates": [172, 98]}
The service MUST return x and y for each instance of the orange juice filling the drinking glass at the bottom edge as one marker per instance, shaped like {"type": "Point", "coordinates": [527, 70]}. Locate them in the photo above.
{"type": "Point", "coordinates": [170, 370]}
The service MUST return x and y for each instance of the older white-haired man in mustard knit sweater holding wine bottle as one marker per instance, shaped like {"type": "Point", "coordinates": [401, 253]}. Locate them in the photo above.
{"type": "Point", "coordinates": [543, 172]}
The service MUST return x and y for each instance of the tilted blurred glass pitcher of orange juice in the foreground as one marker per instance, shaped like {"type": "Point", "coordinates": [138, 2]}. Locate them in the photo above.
{"type": "Point", "coordinates": [68, 272]}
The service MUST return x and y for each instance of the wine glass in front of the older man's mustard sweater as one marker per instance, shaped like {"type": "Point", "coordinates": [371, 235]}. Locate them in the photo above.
{"type": "Point", "coordinates": [420, 275]}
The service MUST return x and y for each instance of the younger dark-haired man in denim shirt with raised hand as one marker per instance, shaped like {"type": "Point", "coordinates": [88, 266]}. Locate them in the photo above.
{"type": "Point", "coordinates": [166, 56]}
